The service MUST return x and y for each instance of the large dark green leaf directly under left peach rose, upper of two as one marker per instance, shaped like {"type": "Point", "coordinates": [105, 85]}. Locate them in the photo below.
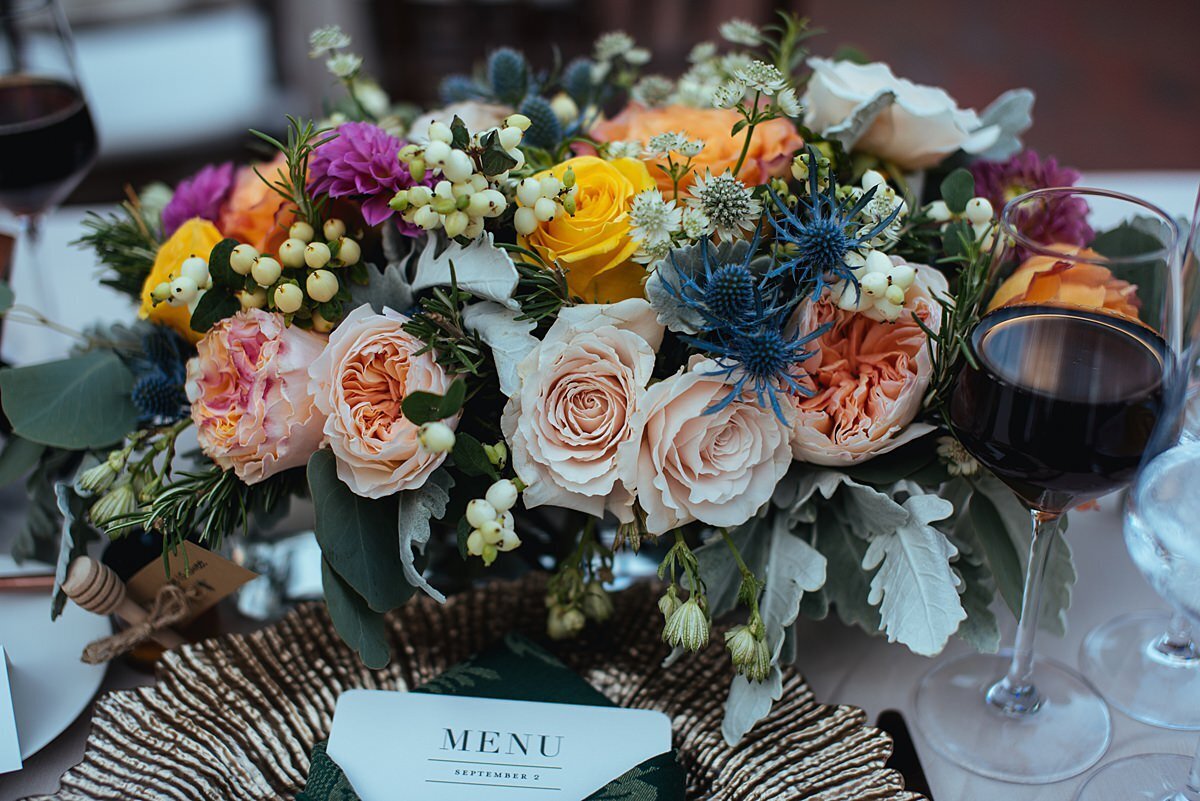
{"type": "Point", "coordinates": [358, 537]}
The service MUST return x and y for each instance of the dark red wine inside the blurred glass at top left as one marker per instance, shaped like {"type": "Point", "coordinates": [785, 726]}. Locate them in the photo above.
{"type": "Point", "coordinates": [47, 142]}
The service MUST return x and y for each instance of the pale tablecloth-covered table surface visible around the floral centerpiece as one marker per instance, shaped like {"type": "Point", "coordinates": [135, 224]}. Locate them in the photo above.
{"type": "Point", "coordinates": [843, 665]}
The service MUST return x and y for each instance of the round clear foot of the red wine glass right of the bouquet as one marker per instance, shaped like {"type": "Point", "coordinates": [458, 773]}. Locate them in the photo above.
{"type": "Point", "coordinates": [1065, 737]}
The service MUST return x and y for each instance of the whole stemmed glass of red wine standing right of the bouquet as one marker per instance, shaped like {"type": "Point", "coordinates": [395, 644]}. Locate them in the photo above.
{"type": "Point", "coordinates": [1060, 402]}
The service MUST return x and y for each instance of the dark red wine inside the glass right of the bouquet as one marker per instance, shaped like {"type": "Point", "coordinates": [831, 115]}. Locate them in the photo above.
{"type": "Point", "coordinates": [1063, 401]}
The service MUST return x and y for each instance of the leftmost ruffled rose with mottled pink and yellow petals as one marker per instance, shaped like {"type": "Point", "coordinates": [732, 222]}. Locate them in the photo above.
{"type": "Point", "coordinates": [249, 389]}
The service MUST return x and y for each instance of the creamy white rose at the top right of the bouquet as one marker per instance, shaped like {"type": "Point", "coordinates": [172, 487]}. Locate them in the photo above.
{"type": "Point", "coordinates": [917, 130]}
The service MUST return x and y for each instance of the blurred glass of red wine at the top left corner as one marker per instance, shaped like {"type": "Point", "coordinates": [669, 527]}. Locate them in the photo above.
{"type": "Point", "coordinates": [47, 137]}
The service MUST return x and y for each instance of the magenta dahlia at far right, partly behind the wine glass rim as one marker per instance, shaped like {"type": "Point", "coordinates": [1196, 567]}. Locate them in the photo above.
{"type": "Point", "coordinates": [1064, 221]}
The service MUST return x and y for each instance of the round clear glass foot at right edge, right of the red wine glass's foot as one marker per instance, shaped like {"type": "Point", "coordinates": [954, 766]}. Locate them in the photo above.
{"type": "Point", "coordinates": [1121, 663]}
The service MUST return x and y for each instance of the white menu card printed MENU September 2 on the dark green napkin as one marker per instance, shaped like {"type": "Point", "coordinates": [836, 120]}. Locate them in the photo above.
{"type": "Point", "coordinates": [458, 749]}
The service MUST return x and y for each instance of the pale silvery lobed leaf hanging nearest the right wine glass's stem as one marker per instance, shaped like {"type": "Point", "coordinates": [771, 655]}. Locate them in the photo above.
{"type": "Point", "coordinates": [915, 588]}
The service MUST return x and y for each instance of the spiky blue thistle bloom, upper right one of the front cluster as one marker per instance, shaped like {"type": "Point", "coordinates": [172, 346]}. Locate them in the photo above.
{"type": "Point", "coordinates": [819, 234]}
